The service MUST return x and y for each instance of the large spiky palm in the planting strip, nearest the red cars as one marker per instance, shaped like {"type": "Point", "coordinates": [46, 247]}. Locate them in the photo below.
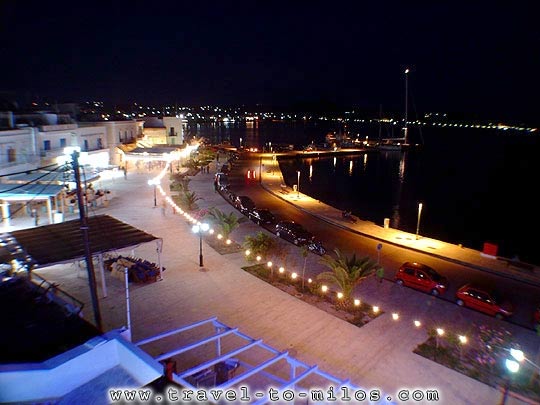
{"type": "Point", "coordinates": [346, 273]}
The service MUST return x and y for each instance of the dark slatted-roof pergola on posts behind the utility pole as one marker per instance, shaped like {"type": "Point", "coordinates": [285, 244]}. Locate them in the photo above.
{"type": "Point", "coordinates": [49, 245]}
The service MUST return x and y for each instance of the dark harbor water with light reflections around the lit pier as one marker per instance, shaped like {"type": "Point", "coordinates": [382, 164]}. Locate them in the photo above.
{"type": "Point", "coordinates": [475, 185]}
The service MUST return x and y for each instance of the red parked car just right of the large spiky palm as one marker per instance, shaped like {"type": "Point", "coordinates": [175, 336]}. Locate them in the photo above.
{"type": "Point", "coordinates": [421, 277]}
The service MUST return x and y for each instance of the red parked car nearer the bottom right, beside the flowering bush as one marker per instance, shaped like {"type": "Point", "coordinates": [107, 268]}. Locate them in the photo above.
{"type": "Point", "coordinates": [484, 300]}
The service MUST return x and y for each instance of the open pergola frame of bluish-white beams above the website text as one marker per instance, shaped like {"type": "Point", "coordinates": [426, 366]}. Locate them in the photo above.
{"type": "Point", "coordinates": [217, 357]}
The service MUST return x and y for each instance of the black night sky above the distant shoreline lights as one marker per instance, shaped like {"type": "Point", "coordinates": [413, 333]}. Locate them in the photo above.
{"type": "Point", "coordinates": [481, 58]}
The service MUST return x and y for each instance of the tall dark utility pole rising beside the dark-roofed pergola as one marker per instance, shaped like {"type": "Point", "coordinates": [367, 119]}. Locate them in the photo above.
{"type": "Point", "coordinates": [88, 254]}
